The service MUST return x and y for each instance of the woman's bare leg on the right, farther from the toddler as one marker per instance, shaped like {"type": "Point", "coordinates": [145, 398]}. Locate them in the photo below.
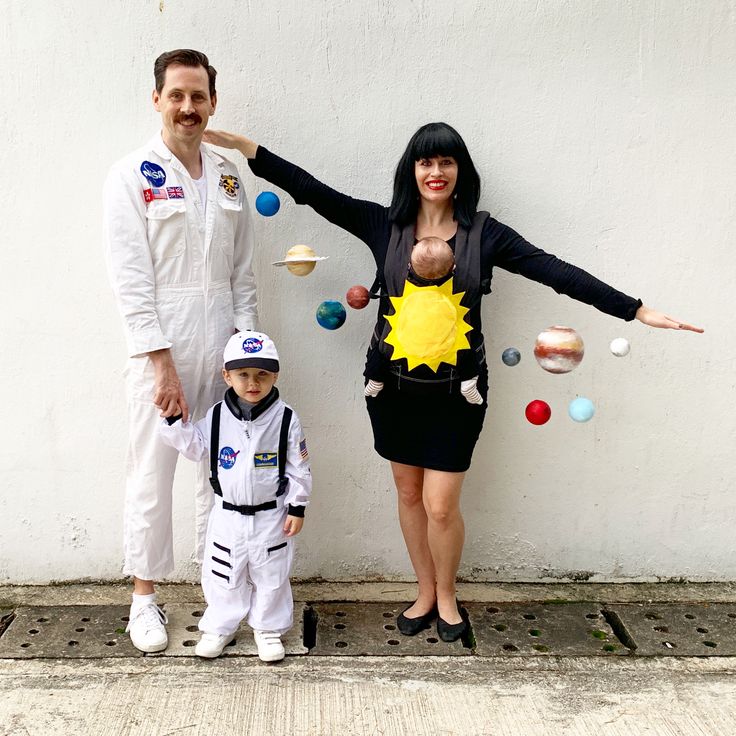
{"type": "Point", "coordinates": [445, 536]}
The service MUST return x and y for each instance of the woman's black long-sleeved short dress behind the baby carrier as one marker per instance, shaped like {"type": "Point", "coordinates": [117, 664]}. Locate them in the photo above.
{"type": "Point", "coordinates": [436, 430]}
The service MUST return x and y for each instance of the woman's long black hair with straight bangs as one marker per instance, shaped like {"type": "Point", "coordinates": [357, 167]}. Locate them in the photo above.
{"type": "Point", "coordinates": [435, 139]}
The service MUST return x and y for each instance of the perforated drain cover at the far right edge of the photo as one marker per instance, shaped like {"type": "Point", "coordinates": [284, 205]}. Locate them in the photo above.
{"type": "Point", "coordinates": [684, 629]}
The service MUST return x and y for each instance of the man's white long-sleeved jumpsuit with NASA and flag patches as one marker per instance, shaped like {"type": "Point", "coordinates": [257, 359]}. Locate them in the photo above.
{"type": "Point", "coordinates": [182, 277]}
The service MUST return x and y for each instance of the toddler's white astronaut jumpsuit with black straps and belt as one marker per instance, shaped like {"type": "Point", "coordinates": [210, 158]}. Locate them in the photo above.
{"type": "Point", "coordinates": [248, 558]}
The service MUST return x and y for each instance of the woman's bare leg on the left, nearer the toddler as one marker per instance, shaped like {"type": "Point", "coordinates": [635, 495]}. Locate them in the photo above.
{"type": "Point", "coordinates": [409, 482]}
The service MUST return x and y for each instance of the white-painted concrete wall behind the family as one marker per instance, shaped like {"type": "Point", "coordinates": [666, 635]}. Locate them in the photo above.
{"type": "Point", "coordinates": [604, 133]}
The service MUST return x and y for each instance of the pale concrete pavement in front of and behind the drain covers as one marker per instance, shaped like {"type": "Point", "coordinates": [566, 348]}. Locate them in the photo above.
{"type": "Point", "coordinates": [496, 695]}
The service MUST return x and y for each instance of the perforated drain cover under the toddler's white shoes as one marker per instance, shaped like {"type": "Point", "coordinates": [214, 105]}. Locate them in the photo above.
{"type": "Point", "coordinates": [184, 634]}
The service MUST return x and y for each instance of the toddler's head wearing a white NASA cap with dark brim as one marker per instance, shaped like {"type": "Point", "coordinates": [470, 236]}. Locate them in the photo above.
{"type": "Point", "coordinates": [250, 365]}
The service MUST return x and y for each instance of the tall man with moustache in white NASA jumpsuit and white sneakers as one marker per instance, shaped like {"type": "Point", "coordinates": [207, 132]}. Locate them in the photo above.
{"type": "Point", "coordinates": [179, 244]}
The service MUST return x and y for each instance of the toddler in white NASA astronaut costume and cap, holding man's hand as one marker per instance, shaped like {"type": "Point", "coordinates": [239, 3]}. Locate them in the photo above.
{"type": "Point", "coordinates": [259, 471]}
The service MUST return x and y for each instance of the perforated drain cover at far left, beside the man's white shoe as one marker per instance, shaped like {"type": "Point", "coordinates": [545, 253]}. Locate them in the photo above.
{"type": "Point", "coordinates": [68, 631]}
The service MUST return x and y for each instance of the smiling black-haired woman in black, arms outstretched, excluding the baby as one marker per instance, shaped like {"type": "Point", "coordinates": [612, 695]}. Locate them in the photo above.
{"type": "Point", "coordinates": [421, 423]}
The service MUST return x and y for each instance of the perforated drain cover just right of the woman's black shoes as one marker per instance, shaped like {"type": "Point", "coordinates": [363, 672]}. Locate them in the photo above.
{"type": "Point", "coordinates": [566, 629]}
